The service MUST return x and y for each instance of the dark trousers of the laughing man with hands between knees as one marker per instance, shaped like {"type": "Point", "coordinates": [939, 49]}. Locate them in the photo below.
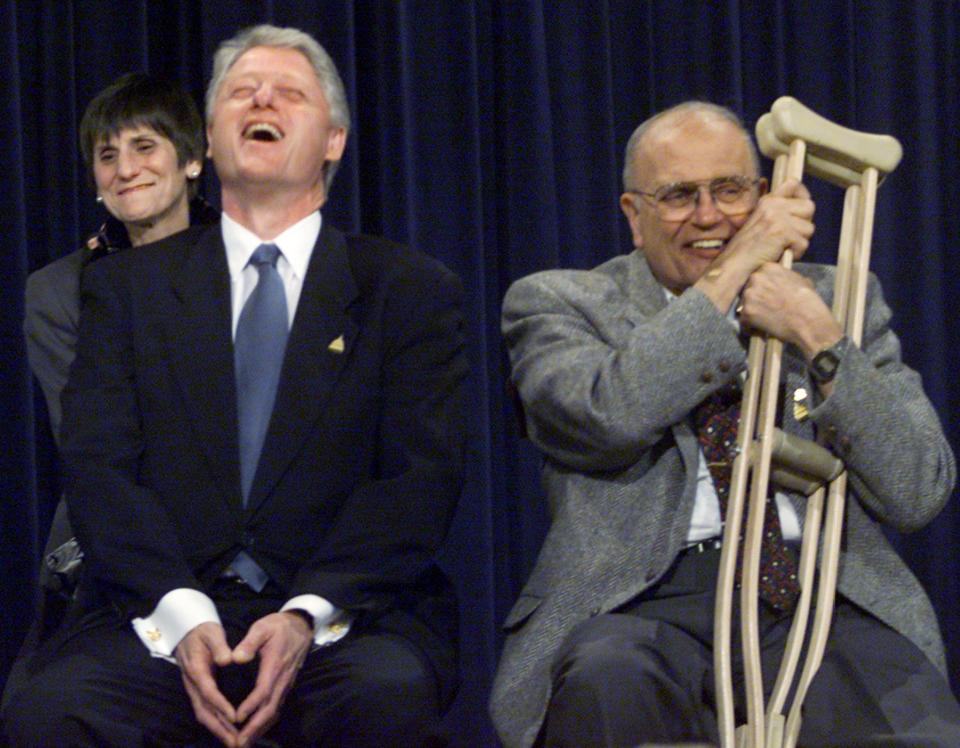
{"type": "Point", "coordinates": [95, 684]}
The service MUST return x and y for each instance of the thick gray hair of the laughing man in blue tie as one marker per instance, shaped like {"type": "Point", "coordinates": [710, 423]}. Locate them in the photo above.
{"type": "Point", "coordinates": [324, 68]}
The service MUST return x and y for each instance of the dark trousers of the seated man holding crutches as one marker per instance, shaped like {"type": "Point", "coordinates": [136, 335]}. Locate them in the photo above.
{"type": "Point", "coordinates": [644, 674]}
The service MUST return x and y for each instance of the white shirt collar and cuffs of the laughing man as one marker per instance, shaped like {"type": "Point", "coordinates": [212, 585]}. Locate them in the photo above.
{"type": "Point", "coordinates": [181, 610]}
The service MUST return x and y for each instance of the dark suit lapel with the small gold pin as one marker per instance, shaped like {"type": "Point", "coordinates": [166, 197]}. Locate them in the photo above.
{"type": "Point", "coordinates": [319, 346]}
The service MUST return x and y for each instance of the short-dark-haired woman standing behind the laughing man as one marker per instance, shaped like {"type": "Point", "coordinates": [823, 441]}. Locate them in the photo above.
{"type": "Point", "coordinates": [142, 140]}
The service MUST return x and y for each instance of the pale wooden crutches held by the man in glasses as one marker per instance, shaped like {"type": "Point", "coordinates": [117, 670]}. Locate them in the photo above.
{"type": "Point", "coordinates": [799, 140]}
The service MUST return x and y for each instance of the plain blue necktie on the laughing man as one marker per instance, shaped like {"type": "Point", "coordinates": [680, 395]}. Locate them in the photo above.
{"type": "Point", "coordinates": [258, 355]}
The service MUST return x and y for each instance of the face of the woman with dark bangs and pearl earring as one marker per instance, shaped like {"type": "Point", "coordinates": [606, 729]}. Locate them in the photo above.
{"type": "Point", "coordinates": [136, 174]}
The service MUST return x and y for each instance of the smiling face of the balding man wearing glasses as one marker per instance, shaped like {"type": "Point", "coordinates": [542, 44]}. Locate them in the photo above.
{"type": "Point", "coordinates": [688, 148]}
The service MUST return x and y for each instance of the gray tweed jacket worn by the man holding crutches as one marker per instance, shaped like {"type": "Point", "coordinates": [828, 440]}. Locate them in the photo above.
{"type": "Point", "coordinates": [608, 373]}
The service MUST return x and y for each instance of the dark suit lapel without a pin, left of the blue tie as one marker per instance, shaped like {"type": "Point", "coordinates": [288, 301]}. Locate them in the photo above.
{"type": "Point", "coordinates": [201, 352]}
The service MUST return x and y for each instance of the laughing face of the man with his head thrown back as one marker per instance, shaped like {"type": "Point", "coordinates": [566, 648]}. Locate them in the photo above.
{"type": "Point", "coordinates": [270, 127]}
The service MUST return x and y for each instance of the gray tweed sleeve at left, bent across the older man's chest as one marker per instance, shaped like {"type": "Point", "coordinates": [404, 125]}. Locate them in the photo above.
{"type": "Point", "coordinates": [604, 366]}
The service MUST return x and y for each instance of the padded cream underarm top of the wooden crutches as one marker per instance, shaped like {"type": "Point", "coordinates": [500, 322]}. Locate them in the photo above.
{"type": "Point", "coordinates": [834, 153]}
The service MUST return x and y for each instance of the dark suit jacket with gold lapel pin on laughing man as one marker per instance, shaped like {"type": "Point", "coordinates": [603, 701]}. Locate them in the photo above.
{"type": "Point", "coordinates": [362, 464]}
